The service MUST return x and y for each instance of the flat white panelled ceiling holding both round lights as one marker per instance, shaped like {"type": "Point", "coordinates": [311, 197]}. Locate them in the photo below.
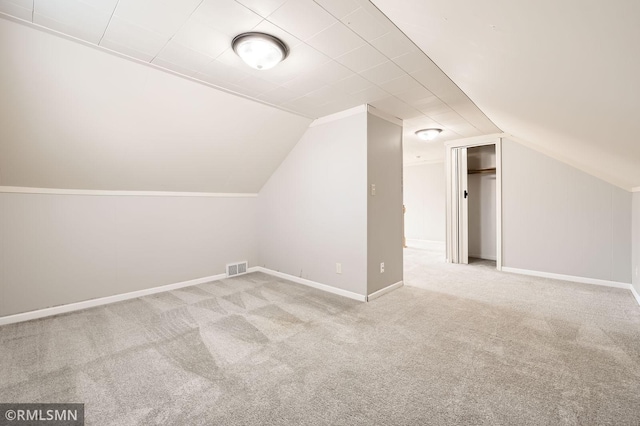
{"type": "Point", "coordinates": [344, 53]}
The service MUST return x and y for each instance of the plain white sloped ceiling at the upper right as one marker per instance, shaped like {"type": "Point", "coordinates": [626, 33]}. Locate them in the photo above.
{"type": "Point", "coordinates": [563, 76]}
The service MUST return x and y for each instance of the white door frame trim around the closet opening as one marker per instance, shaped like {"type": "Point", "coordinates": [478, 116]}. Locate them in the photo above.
{"type": "Point", "coordinates": [451, 217]}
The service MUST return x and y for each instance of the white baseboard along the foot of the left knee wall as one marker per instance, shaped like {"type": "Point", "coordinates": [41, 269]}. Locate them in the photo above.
{"type": "Point", "coordinates": [78, 306]}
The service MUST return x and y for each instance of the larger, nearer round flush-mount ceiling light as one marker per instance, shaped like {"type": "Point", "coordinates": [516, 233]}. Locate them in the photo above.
{"type": "Point", "coordinates": [259, 51]}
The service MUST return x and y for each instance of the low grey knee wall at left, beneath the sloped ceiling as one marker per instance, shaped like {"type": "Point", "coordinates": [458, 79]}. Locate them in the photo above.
{"type": "Point", "coordinates": [60, 249]}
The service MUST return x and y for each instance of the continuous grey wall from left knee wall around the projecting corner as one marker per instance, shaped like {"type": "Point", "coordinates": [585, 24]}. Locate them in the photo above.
{"type": "Point", "coordinates": [59, 249]}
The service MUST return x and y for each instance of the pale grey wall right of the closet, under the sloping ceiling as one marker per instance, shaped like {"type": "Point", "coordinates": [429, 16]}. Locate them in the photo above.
{"type": "Point", "coordinates": [561, 220]}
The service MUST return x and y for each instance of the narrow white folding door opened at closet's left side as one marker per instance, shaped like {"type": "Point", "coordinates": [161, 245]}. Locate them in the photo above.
{"type": "Point", "coordinates": [460, 207]}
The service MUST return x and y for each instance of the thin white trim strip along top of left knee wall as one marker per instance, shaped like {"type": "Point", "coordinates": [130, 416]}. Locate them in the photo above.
{"type": "Point", "coordinates": [103, 193]}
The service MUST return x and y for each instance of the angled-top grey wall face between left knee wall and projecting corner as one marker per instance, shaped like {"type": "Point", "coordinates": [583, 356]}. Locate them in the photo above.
{"type": "Point", "coordinates": [313, 209]}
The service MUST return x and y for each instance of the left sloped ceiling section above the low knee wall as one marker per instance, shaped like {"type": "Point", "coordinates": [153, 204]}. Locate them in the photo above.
{"type": "Point", "coordinates": [74, 117]}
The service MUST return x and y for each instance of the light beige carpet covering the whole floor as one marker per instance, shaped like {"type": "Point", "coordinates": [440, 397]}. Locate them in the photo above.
{"type": "Point", "coordinates": [456, 345]}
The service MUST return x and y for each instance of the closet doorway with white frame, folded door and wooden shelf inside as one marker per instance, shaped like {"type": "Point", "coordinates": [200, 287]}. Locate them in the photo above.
{"type": "Point", "coordinates": [474, 200]}
